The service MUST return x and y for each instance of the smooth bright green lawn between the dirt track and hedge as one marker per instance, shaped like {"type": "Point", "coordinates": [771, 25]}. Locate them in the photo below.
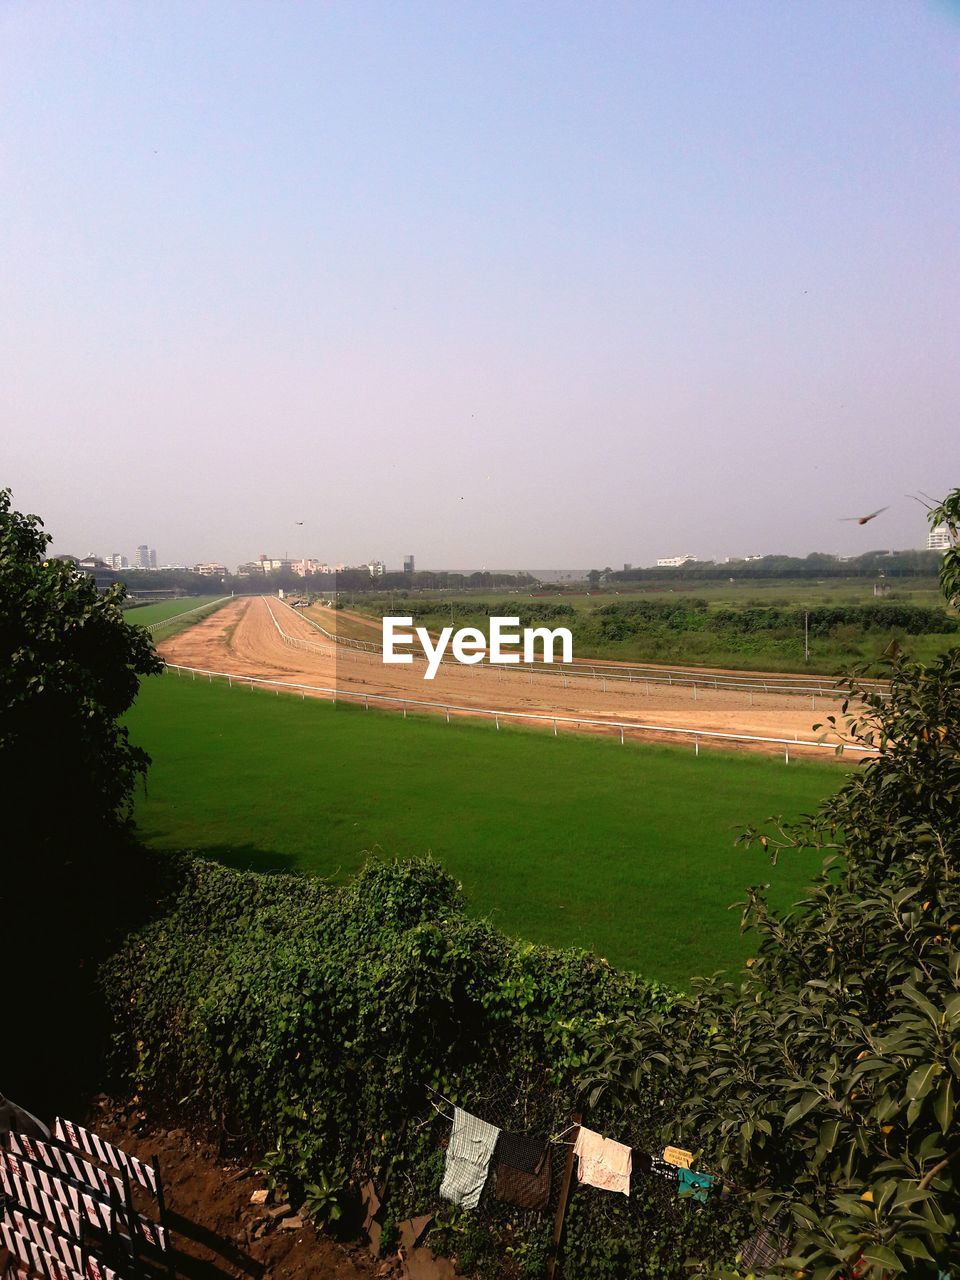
{"type": "Point", "coordinates": [625, 851]}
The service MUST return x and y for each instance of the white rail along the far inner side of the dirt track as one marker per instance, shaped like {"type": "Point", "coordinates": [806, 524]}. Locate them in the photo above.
{"type": "Point", "coordinates": [601, 671]}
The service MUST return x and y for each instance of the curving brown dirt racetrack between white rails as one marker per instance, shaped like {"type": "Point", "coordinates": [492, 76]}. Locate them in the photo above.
{"type": "Point", "coordinates": [262, 638]}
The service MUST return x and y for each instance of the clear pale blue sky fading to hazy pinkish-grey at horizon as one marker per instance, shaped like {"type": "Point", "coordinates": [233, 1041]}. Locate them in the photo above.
{"type": "Point", "coordinates": [554, 284]}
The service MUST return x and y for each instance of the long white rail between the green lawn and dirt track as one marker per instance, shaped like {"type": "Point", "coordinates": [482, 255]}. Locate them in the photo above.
{"type": "Point", "coordinates": [623, 728]}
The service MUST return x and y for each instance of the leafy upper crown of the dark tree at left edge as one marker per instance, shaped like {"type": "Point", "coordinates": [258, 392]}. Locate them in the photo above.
{"type": "Point", "coordinates": [70, 668]}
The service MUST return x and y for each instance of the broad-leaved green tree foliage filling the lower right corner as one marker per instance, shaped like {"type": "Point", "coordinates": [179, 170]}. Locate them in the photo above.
{"type": "Point", "coordinates": [825, 1085]}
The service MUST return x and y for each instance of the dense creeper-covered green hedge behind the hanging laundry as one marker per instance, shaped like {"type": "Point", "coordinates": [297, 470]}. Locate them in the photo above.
{"type": "Point", "coordinates": [308, 1020]}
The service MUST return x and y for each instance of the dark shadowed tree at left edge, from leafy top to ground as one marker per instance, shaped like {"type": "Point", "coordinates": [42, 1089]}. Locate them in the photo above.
{"type": "Point", "coordinates": [70, 669]}
